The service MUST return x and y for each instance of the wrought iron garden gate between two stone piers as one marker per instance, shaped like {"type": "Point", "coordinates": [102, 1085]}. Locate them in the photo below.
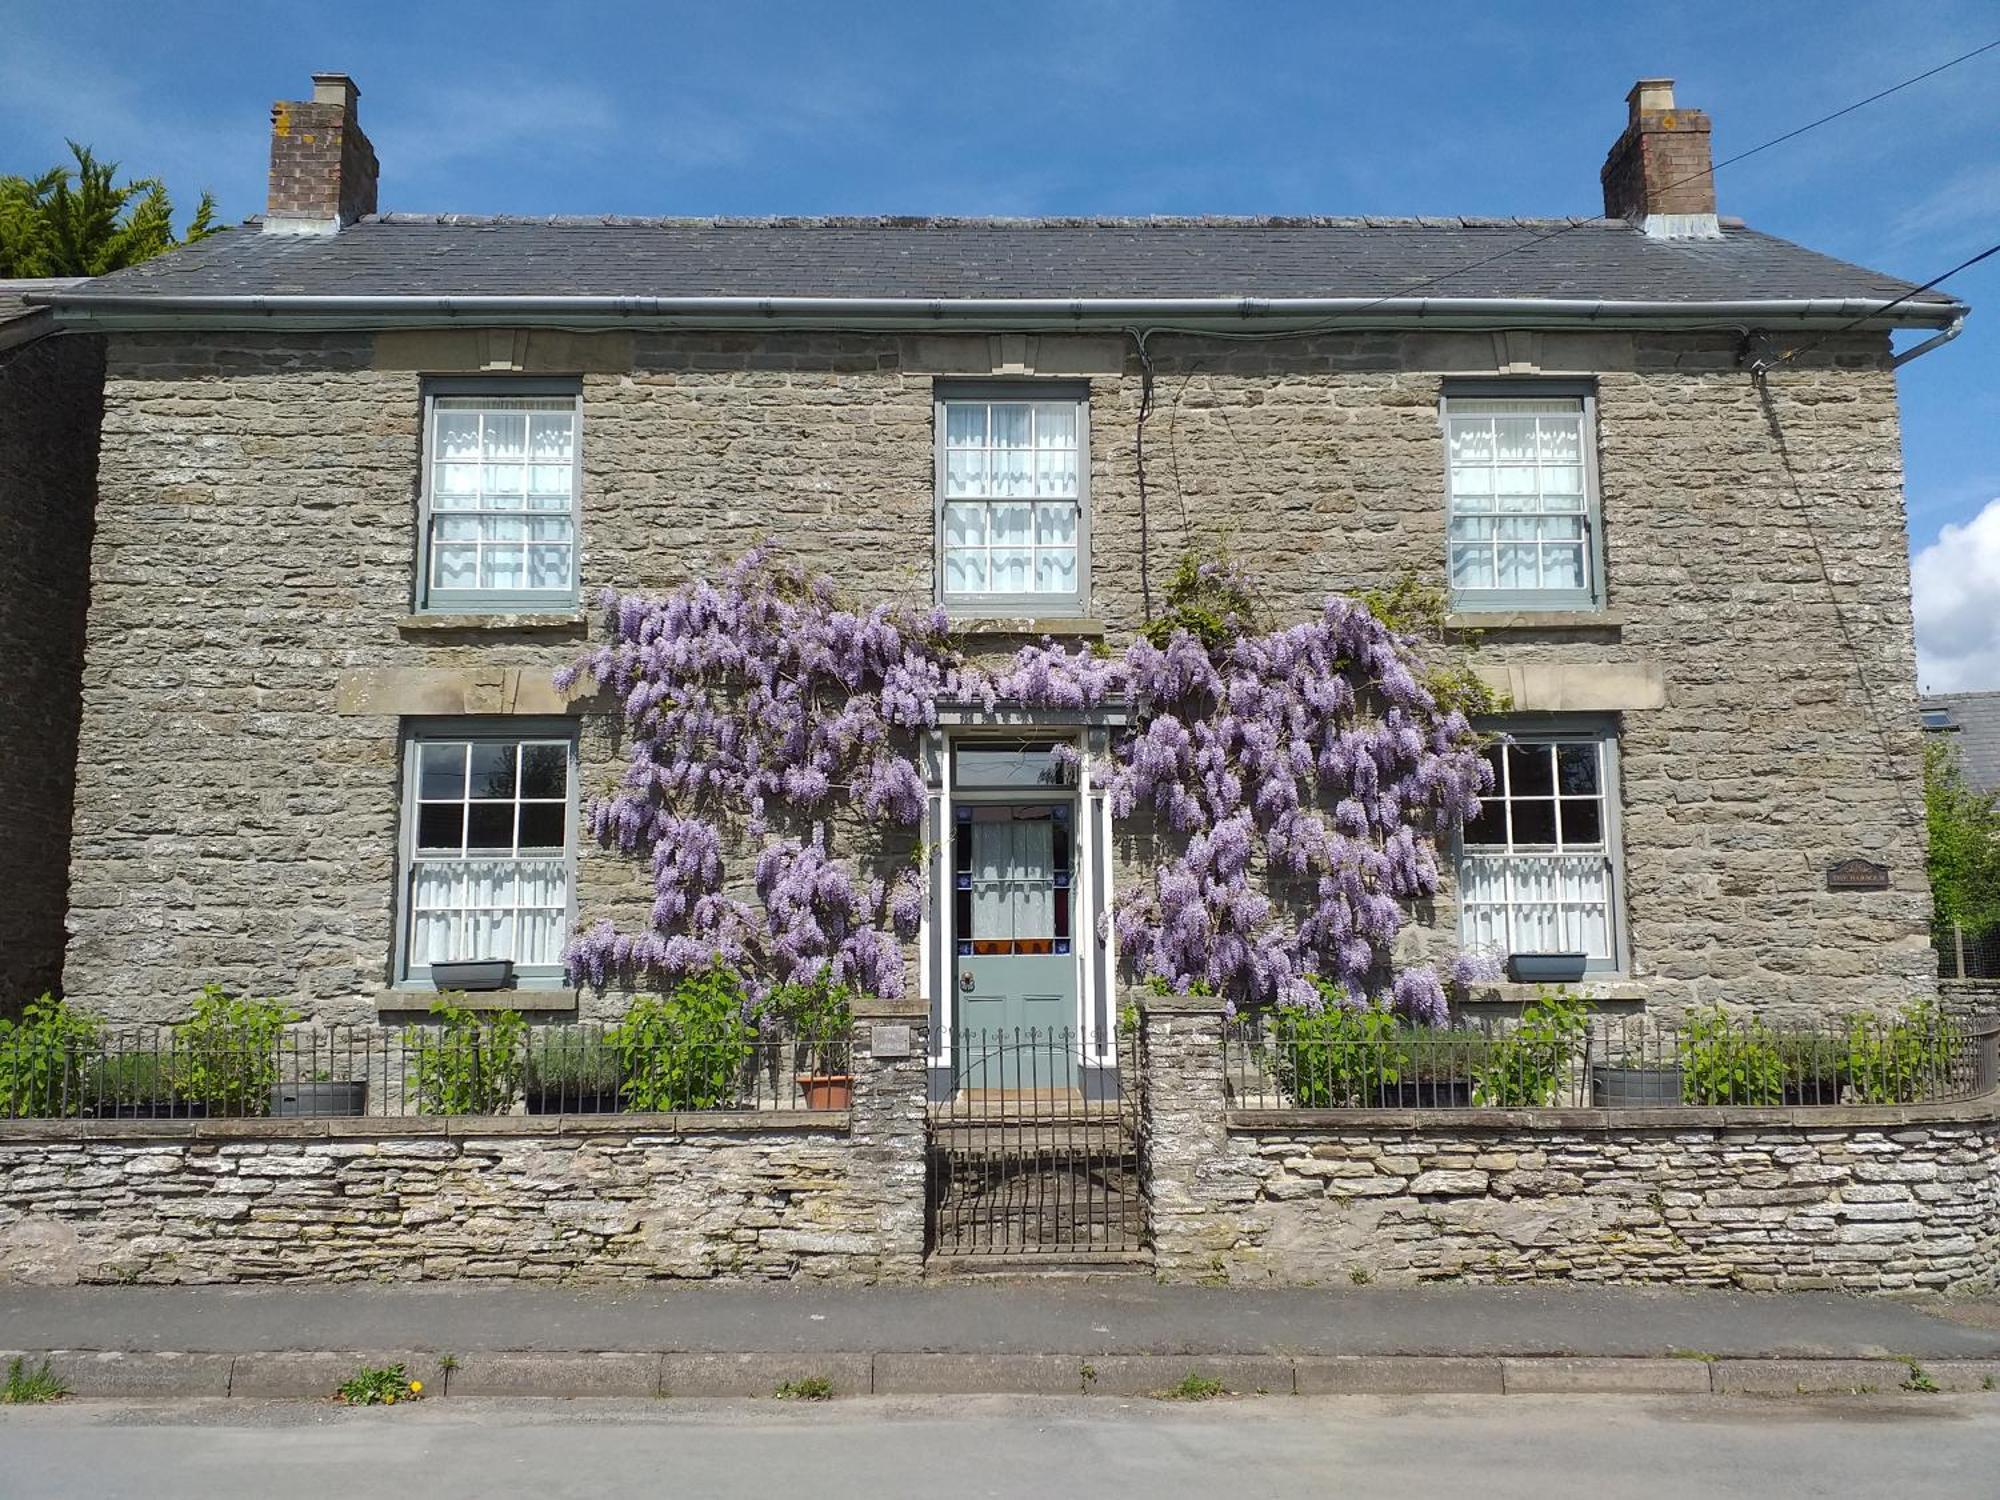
{"type": "Point", "coordinates": [1035, 1155]}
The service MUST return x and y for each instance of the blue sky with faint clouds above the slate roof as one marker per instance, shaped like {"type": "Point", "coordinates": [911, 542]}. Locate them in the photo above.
{"type": "Point", "coordinates": [1105, 107]}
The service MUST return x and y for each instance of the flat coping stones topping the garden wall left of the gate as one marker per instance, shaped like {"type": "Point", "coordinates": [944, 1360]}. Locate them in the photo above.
{"type": "Point", "coordinates": [457, 1127]}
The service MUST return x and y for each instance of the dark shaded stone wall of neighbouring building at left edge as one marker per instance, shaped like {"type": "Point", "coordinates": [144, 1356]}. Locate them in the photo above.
{"type": "Point", "coordinates": [49, 453]}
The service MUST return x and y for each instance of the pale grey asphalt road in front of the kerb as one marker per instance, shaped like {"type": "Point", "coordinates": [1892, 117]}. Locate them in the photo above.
{"type": "Point", "coordinates": [1497, 1449]}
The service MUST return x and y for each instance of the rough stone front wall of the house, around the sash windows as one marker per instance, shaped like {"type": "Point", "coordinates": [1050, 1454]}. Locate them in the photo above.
{"type": "Point", "coordinates": [253, 579]}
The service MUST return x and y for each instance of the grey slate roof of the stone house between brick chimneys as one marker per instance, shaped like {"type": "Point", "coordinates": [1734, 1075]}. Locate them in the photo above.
{"type": "Point", "coordinates": [405, 255]}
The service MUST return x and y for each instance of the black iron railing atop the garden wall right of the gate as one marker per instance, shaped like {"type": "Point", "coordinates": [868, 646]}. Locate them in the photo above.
{"type": "Point", "coordinates": [1369, 1063]}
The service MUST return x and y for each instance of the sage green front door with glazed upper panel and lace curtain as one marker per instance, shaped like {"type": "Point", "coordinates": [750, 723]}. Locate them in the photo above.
{"type": "Point", "coordinates": [1013, 945]}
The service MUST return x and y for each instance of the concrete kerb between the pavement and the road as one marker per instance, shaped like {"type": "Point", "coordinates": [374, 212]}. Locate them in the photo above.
{"type": "Point", "coordinates": [313, 1375]}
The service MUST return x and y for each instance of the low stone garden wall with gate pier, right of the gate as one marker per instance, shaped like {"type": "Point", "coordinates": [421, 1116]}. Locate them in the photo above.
{"type": "Point", "coordinates": [1851, 1199]}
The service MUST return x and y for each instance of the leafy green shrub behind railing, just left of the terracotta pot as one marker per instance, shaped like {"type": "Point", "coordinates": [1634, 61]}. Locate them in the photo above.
{"type": "Point", "coordinates": [689, 1049]}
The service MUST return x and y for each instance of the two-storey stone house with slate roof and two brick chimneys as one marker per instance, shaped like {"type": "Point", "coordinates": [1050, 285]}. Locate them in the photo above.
{"type": "Point", "coordinates": [363, 477]}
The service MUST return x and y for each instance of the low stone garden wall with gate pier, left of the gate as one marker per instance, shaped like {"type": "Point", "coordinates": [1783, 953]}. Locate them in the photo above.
{"type": "Point", "coordinates": [733, 1197]}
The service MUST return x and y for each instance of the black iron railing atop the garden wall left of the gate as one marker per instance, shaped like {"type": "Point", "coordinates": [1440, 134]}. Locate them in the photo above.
{"type": "Point", "coordinates": [167, 1073]}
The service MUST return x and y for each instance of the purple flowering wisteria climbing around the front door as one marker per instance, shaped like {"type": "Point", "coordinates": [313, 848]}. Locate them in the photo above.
{"type": "Point", "coordinates": [1291, 785]}
